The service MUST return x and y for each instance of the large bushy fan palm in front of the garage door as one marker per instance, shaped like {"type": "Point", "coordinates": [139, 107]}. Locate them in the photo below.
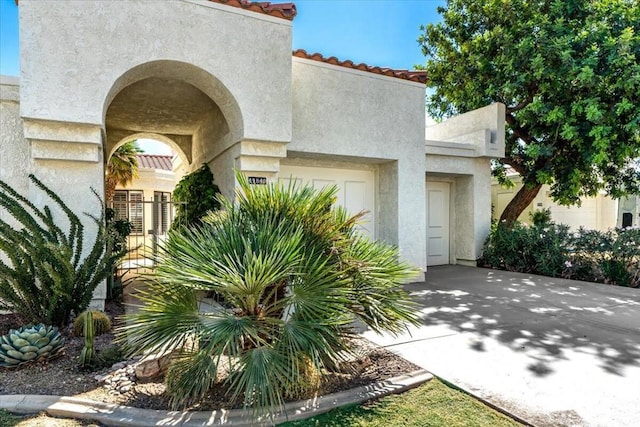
{"type": "Point", "coordinates": [291, 275]}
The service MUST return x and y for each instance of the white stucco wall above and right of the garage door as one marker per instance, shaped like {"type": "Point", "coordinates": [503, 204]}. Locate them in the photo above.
{"type": "Point", "coordinates": [347, 115]}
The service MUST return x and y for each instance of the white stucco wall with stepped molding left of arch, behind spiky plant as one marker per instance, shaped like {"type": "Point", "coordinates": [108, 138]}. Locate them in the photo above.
{"type": "Point", "coordinates": [60, 166]}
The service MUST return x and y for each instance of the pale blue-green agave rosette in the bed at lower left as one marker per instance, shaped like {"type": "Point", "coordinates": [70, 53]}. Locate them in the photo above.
{"type": "Point", "coordinates": [29, 344]}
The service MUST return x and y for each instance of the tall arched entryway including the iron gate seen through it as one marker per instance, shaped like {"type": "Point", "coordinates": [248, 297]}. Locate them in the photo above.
{"type": "Point", "coordinates": [188, 110]}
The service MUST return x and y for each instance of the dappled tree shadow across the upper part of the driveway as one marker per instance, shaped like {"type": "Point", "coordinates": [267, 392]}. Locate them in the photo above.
{"type": "Point", "coordinates": [526, 312]}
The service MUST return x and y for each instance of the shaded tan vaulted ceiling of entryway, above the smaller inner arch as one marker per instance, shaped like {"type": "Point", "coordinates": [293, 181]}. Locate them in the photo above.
{"type": "Point", "coordinates": [178, 104]}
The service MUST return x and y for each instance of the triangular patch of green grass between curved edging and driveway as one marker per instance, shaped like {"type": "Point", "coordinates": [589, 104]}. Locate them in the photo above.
{"type": "Point", "coordinates": [432, 404]}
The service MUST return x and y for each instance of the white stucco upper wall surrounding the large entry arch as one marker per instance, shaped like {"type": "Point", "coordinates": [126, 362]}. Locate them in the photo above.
{"type": "Point", "coordinates": [81, 45]}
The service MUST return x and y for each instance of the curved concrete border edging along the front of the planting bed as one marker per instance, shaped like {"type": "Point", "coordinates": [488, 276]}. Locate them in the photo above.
{"type": "Point", "coordinates": [116, 415]}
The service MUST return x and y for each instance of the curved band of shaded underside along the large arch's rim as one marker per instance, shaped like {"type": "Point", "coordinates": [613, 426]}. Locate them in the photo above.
{"type": "Point", "coordinates": [209, 84]}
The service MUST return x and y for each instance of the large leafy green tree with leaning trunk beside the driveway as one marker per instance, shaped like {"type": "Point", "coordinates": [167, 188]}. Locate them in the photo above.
{"type": "Point", "coordinates": [569, 75]}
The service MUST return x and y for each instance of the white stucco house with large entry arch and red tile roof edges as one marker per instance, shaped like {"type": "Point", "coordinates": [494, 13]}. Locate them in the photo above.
{"type": "Point", "coordinates": [218, 82]}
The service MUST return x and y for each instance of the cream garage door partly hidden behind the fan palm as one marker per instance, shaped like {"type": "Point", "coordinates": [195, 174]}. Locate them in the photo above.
{"type": "Point", "coordinates": [356, 188]}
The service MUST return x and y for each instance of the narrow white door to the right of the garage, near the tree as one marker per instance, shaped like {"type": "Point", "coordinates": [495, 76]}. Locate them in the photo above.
{"type": "Point", "coordinates": [438, 194]}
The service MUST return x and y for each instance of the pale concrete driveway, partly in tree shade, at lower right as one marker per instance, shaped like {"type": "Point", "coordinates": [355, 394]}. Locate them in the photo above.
{"type": "Point", "coordinates": [551, 351]}
